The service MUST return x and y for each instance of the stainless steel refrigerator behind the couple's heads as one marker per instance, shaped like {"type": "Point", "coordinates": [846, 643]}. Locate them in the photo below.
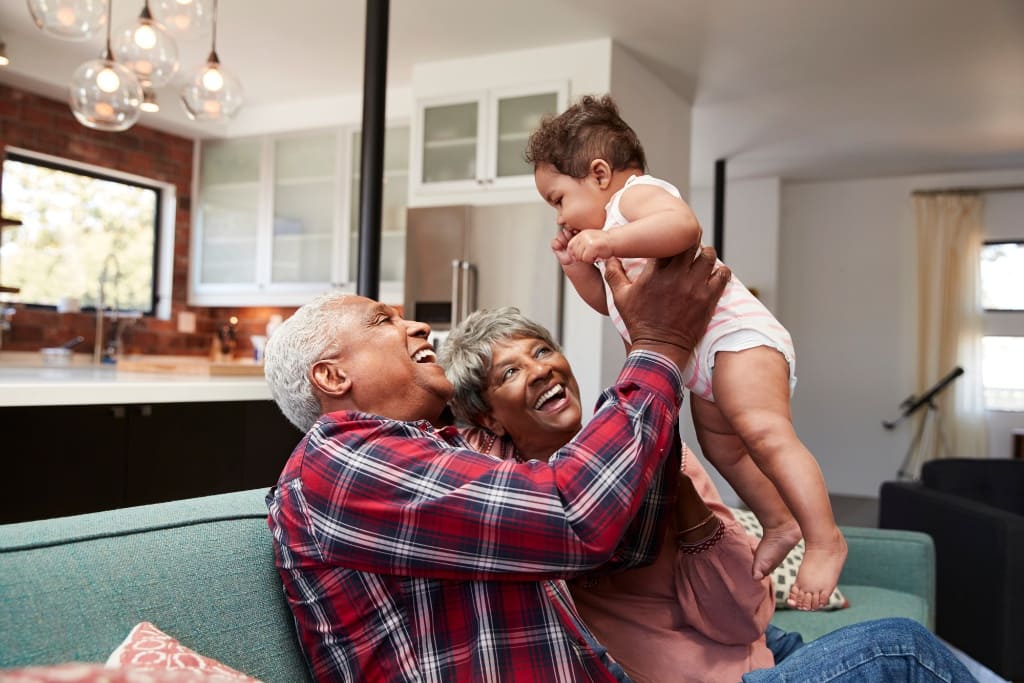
{"type": "Point", "coordinates": [463, 259]}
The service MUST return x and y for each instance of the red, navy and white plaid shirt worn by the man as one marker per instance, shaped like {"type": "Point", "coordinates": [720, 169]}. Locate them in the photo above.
{"type": "Point", "coordinates": [408, 558]}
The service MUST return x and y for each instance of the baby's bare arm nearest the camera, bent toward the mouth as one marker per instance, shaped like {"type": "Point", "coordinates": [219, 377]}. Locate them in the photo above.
{"type": "Point", "coordinates": [660, 226]}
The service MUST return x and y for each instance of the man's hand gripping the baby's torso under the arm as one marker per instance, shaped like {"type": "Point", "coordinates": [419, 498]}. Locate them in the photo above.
{"type": "Point", "coordinates": [668, 308]}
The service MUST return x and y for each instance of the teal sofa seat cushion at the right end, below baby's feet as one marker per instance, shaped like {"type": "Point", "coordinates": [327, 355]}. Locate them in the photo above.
{"type": "Point", "coordinates": [867, 603]}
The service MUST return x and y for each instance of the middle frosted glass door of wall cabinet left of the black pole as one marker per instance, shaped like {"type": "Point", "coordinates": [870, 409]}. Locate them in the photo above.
{"type": "Point", "coordinates": [306, 199]}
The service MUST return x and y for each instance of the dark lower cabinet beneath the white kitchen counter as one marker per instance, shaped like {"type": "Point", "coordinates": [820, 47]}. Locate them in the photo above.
{"type": "Point", "coordinates": [66, 460]}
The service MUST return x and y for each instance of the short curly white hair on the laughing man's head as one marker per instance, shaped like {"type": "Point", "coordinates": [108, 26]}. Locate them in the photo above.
{"type": "Point", "coordinates": [310, 335]}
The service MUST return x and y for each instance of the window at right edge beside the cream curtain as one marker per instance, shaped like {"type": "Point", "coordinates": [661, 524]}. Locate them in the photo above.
{"type": "Point", "coordinates": [1003, 347]}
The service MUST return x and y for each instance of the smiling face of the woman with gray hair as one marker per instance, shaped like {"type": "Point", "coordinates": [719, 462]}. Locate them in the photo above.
{"type": "Point", "coordinates": [534, 397]}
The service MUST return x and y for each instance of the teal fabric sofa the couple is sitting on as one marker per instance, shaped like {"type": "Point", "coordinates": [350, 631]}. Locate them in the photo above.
{"type": "Point", "coordinates": [202, 571]}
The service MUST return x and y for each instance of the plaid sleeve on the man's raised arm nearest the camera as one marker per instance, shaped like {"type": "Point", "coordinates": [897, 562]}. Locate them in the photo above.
{"type": "Point", "coordinates": [394, 498]}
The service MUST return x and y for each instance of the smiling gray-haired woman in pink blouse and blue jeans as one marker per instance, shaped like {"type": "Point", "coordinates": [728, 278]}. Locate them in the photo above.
{"type": "Point", "coordinates": [696, 614]}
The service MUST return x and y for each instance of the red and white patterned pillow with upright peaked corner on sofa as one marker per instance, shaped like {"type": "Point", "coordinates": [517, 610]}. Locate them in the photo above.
{"type": "Point", "coordinates": [149, 648]}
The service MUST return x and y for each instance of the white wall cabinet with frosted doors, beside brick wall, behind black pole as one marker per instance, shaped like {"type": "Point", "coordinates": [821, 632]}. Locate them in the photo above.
{"type": "Point", "coordinates": [276, 218]}
